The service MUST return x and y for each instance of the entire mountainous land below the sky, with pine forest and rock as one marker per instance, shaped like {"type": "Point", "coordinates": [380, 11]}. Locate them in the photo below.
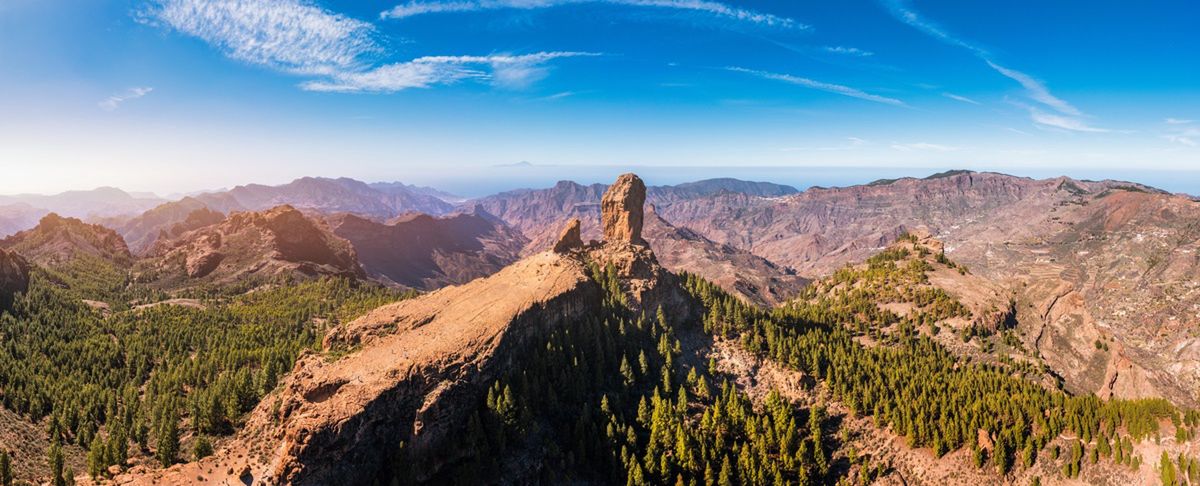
{"type": "Point", "coordinates": [967, 327]}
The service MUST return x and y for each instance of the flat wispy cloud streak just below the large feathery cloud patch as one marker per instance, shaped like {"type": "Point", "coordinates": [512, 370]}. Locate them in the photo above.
{"type": "Point", "coordinates": [505, 71]}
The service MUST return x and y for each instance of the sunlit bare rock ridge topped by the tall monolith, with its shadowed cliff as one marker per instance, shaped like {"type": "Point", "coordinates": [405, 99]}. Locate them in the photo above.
{"type": "Point", "coordinates": [413, 367]}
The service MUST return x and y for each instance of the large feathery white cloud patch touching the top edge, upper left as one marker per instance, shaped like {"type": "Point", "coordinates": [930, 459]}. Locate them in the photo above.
{"type": "Point", "coordinates": [295, 37]}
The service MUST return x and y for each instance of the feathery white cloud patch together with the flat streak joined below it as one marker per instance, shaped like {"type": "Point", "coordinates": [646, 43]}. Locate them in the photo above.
{"type": "Point", "coordinates": [299, 38]}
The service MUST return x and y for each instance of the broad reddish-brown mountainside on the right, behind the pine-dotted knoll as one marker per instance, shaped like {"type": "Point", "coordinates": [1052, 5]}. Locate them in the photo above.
{"type": "Point", "coordinates": [1101, 269]}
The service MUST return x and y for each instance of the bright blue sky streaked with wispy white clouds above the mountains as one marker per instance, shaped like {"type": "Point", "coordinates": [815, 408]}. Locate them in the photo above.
{"type": "Point", "coordinates": [185, 95]}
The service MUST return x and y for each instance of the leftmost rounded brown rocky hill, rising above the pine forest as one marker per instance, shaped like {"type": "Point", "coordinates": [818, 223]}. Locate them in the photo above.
{"type": "Point", "coordinates": [58, 241]}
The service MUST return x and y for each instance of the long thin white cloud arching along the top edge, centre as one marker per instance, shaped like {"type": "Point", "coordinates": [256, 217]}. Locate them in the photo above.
{"type": "Point", "coordinates": [415, 9]}
